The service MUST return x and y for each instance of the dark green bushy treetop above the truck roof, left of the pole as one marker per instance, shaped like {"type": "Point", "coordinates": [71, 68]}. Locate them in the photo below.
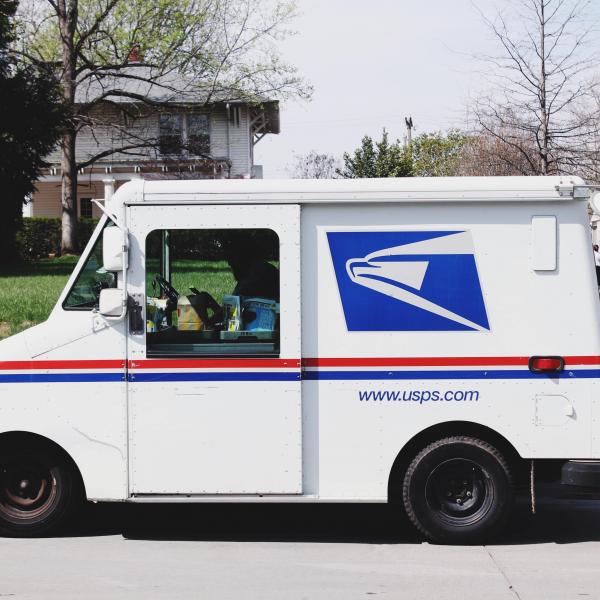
{"type": "Point", "coordinates": [377, 159]}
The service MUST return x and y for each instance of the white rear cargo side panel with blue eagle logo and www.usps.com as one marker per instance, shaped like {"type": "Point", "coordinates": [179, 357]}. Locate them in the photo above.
{"type": "Point", "coordinates": [415, 315]}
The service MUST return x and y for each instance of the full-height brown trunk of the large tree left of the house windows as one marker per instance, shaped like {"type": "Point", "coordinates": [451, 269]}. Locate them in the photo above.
{"type": "Point", "coordinates": [67, 18]}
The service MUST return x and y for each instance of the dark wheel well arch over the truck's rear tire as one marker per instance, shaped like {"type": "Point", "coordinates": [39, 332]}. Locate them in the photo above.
{"type": "Point", "coordinates": [442, 430]}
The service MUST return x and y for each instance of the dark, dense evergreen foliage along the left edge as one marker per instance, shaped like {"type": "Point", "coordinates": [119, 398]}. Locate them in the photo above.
{"type": "Point", "coordinates": [30, 122]}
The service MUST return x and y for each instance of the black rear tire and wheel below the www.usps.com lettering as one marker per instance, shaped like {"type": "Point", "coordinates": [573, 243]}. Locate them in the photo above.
{"type": "Point", "coordinates": [458, 490]}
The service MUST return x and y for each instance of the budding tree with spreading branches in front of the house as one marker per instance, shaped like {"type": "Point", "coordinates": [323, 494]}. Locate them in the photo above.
{"type": "Point", "coordinates": [220, 50]}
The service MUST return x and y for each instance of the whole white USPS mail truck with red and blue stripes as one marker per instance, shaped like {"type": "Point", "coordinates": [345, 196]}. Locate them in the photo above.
{"type": "Point", "coordinates": [429, 342]}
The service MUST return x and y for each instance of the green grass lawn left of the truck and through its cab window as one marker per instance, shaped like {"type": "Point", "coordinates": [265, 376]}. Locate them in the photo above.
{"type": "Point", "coordinates": [29, 292]}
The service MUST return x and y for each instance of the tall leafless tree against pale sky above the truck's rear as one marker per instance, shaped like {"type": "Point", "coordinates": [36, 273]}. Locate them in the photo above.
{"type": "Point", "coordinates": [540, 107]}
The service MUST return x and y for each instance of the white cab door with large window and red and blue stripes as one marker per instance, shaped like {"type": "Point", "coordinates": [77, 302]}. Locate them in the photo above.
{"type": "Point", "coordinates": [214, 351]}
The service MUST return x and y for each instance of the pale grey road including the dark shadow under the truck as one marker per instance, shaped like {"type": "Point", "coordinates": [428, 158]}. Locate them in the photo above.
{"type": "Point", "coordinates": [313, 552]}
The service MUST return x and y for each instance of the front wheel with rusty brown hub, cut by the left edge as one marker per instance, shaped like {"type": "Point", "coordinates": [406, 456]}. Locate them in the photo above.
{"type": "Point", "coordinates": [38, 490]}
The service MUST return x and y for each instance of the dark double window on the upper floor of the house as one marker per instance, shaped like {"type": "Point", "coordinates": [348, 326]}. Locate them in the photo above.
{"type": "Point", "coordinates": [184, 133]}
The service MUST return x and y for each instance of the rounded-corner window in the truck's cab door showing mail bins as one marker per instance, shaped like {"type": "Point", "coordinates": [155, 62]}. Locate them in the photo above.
{"type": "Point", "coordinates": [212, 293]}
